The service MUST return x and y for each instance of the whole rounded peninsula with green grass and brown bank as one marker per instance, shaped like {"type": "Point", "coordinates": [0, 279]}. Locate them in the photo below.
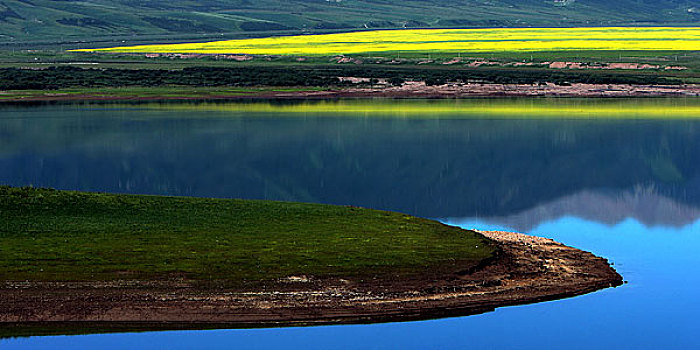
{"type": "Point", "coordinates": [75, 263]}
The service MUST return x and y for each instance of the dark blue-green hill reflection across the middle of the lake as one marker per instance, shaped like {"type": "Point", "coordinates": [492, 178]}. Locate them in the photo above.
{"type": "Point", "coordinates": [433, 168]}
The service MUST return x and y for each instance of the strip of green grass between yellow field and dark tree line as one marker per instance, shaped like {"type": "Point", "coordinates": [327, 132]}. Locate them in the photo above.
{"type": "Point", "coordinates": [41, 59]}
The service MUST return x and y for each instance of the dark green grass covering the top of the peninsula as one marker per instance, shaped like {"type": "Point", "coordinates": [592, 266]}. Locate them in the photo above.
{"type": "Point", "coordinates": [51, 235]}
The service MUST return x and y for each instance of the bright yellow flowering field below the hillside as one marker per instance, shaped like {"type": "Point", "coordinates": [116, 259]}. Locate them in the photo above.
{"type": "Point", "coordinates": [513, 39]}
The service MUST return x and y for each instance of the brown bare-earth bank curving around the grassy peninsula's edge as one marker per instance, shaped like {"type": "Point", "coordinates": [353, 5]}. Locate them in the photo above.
{"type": "Point", "coordinates": [527, 270]}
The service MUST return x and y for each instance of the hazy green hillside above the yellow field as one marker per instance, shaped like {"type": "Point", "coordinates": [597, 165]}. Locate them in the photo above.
{"type": "Point", "coordinates": [160, 20]}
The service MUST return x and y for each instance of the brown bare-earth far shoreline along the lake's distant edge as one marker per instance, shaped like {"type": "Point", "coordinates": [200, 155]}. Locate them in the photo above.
{"type": "Point", "coordinates": [407, 91]}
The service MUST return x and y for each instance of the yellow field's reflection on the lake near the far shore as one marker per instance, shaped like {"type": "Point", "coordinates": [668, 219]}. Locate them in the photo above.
{"type": "Point", "coordinates": [681, 108]}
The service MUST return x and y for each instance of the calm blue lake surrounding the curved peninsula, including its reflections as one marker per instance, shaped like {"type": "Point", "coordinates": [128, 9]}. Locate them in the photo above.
{"type": "Point", "coordinates": [619, 178]}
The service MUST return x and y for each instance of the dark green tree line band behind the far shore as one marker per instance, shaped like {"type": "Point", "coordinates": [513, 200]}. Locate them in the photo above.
{"type": "Point", "coordinates": [62, 77]}
